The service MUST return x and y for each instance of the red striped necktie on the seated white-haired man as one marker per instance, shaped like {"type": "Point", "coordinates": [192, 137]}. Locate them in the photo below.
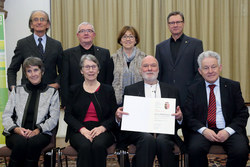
{"type": "Point", "coordinates": [211, 117]}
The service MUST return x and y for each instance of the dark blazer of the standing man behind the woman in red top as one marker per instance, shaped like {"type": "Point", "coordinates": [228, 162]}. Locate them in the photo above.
{"type": "Point", "coordinates": [71, 69]}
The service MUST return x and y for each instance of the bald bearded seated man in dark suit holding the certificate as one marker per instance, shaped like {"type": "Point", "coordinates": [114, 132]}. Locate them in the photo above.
{"type": "Point", "coordinates": [146, 145]}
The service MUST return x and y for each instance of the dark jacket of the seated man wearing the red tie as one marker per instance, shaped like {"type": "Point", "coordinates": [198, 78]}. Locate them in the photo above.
{"type": "Point", "coordinates": [233, 108]}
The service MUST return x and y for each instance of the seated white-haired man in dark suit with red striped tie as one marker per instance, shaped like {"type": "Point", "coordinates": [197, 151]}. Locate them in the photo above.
{"type": "Point", "coordinates": [215, 113]}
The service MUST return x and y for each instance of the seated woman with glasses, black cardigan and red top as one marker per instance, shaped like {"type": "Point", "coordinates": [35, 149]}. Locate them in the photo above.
{"type": "Point", "coordinates": [90, 116]}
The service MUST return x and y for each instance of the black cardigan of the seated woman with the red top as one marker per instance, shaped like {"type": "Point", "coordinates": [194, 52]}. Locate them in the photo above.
{"type": "Point", "coordinates": [105, 104]}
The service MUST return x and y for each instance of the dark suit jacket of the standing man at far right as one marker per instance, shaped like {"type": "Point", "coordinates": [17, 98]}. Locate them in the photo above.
{"type": "Point", "coordinates": [184, 70]}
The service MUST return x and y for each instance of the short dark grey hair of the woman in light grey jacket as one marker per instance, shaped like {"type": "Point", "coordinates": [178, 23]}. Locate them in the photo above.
{"type": "Point", "coordinates": [33, 61]}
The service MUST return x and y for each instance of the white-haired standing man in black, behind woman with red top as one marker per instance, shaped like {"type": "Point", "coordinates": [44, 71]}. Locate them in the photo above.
{"type": "Point", "coordinates": [71, 59]}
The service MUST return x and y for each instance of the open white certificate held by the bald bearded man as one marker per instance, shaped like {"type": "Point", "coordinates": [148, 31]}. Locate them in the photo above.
{"type": "Point", "coordinates": [152, 115]}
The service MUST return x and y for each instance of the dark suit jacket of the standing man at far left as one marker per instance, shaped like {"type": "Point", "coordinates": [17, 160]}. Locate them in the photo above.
{"type": "Point", "coordinates": [52, 59]}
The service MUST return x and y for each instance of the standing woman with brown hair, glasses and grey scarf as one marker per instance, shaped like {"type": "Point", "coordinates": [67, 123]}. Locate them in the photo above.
{"type": "Point", "coordinates": [127, 61]}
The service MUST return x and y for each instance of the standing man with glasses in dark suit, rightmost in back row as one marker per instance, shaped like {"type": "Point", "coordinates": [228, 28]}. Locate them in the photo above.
{"type": "Point", "coordinates": [177, 56]}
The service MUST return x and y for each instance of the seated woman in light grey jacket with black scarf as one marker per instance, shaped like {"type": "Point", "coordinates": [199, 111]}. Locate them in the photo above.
{"type": "Point", "coordinates": [31, 113]}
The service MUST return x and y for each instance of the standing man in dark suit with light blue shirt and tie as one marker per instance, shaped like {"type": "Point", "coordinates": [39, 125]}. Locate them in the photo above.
{"type": "Point", "coordinates": [48, 50]}
